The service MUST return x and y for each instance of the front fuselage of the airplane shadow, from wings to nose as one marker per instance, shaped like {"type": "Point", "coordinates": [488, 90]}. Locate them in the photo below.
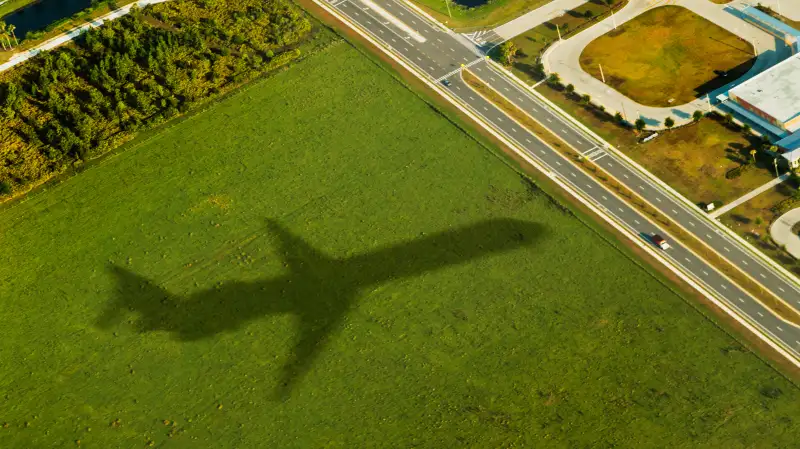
{"type": "Point", "coordinates": [442, 249]}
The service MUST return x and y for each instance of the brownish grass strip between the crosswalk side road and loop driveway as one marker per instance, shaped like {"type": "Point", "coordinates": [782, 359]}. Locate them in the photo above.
{"type": "Point", "coordinates": [533, 42]}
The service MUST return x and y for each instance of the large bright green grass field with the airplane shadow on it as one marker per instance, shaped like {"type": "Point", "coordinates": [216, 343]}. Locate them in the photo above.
{"type": "Point", "coordinates": [154, 298]}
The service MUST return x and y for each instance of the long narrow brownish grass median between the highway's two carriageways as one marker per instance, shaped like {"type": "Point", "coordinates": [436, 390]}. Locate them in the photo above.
{"type": "Point", "coordinates": [775, 304]}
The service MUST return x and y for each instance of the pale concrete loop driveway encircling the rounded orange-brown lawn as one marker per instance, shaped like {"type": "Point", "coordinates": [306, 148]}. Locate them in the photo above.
{"type": "Point", "coordinates": [563, 58]}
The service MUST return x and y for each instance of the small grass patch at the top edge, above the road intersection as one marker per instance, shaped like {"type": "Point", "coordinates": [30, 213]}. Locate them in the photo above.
{"type": "Point", "coordinates": [487, 14]}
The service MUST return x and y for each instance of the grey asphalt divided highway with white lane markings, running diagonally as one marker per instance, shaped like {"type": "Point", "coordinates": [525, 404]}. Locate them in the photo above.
{"type": "Point", "coordinates": [440, 55]}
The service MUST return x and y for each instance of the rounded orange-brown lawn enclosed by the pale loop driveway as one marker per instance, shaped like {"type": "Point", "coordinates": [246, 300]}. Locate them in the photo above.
{"type": "Point", "coordinates": [682, 61]}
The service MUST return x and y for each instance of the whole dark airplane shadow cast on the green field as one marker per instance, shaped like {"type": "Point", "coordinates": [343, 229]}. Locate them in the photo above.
{"type": "Point", "coordinates": [318, 290]}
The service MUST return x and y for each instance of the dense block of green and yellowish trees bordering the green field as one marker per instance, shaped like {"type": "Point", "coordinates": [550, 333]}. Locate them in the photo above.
{"type": "Point", "coordinates": [82, 100]}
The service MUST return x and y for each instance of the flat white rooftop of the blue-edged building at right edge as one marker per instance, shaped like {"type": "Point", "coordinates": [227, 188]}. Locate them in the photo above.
{"type": "Point", "coordinates": [775, 91]}
